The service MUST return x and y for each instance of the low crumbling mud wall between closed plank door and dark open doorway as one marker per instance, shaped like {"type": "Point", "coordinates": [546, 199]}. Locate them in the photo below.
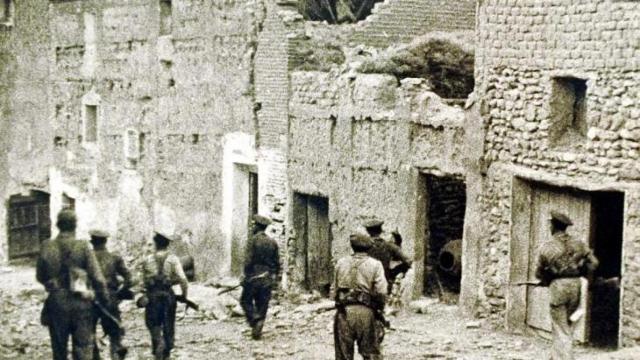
{"type": "Point", "coordinates": [363, 141]}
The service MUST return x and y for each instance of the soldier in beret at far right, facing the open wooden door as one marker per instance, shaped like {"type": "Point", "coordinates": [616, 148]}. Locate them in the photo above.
{"type": "Point", "coordinates": [561, 263]}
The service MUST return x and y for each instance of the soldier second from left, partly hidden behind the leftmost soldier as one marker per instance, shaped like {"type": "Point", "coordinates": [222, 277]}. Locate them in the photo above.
{"type": "Point", "coordinates": [118, 280]}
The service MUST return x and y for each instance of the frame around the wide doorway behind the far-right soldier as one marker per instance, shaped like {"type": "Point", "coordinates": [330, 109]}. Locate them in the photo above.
{"type": "Point", "coordinates": [516, 301]}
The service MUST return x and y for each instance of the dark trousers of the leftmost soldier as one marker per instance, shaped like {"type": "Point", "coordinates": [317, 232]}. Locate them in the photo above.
{"type": "Point", "coordinates": [67, 315]}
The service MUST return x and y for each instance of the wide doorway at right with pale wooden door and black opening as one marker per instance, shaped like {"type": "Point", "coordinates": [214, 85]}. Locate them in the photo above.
{"type": "Point", "coordinates": [597, 218]}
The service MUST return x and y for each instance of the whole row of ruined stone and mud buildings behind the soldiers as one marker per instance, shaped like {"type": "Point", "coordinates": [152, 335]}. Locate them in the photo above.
{"type": "Point", "coordinates": [190, 116]}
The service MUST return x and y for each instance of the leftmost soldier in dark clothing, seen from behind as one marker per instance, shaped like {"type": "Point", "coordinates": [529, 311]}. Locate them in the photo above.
{"type": "Point", "coordinates": [71, 275]}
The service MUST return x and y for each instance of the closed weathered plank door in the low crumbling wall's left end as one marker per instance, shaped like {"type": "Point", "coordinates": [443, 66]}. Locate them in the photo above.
{"type": "Point", "coordinates": [313, 250]}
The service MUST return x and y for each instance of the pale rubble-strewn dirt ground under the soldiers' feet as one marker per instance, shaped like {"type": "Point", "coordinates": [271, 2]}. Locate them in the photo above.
{"type": "Point", "coordinates": [292, 331]}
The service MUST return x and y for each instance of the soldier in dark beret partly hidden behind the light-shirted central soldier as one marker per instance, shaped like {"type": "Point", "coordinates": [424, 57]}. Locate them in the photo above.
{"type": "Point", "coordinates": [386, 252]}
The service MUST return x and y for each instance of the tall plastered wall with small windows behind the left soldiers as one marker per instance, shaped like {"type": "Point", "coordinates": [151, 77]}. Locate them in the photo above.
{"type": "Point", "coordinates": [166, 97]}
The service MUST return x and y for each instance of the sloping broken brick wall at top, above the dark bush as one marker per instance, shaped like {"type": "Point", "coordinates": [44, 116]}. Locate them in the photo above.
{"type": "Point", "coordinates": [396, 21]}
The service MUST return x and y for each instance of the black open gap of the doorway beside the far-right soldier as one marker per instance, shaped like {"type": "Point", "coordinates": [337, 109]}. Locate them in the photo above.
{"type": "Point", "coordinates": [608, 217]}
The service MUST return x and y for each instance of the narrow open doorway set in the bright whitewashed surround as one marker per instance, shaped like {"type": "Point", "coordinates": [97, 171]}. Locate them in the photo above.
{"type": "Point", "coordinates": [245, 205]}
